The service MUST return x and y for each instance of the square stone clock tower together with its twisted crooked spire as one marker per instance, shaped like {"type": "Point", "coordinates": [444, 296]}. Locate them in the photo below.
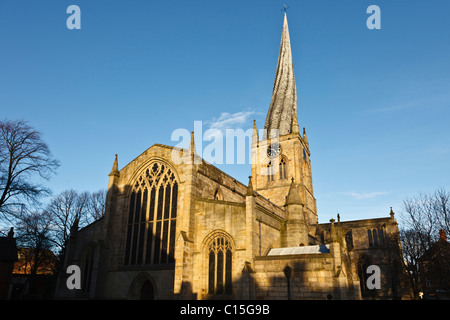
{"type": "Point", "coordinates": [282, 157]}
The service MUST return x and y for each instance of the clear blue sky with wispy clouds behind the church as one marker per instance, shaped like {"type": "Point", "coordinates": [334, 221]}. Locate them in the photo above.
{"type": "Point", "coordinates": [375, 103]}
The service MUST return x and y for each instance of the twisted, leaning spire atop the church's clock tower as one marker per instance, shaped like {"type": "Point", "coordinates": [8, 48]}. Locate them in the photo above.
{"type": "Point", "coordinates": [282, 114]}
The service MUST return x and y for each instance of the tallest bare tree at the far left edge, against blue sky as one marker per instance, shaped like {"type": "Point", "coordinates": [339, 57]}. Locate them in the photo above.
{"type": "Point", "coordinates": [23, 155]}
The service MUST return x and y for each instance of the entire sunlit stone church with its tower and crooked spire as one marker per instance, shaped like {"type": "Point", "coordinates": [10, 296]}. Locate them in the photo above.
{"type": "Point", "coordinates": [187, 230]}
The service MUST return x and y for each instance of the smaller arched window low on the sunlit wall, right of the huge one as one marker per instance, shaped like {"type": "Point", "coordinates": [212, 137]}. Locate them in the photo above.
{"type": "Point", "coordinates": [219, 265]}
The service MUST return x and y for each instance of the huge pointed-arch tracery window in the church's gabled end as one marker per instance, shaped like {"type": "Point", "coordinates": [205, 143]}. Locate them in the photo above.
{"type": "Point", "coordinates": [152, 217]}
